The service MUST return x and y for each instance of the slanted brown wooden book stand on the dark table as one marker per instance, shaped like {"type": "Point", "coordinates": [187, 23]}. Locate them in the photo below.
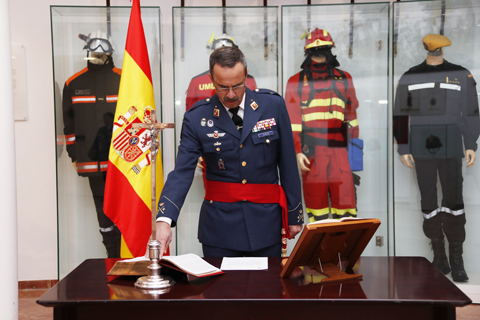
{"type": "Point", "coordinates": [330, 248]}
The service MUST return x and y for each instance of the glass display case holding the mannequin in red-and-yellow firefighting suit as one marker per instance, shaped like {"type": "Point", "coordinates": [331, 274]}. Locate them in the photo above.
{"type": "Point", "coordinates": [335, 82]}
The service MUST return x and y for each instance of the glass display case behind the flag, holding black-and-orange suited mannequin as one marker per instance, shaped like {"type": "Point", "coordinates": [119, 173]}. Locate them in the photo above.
{"type": "Point", "coordinates": [80, 170]}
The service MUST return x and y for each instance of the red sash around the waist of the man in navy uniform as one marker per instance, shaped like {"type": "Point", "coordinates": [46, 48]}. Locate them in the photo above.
{"type": "Point", "coordinates": [256, 193]}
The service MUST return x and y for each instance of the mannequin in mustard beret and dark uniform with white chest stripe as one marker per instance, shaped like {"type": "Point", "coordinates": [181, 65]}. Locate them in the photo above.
{"type": "Point", "coordinates": [435, 117]}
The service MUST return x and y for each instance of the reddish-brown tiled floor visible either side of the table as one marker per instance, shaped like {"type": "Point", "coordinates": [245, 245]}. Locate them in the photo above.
{"type": "Point", "coordinates": [30, 310]}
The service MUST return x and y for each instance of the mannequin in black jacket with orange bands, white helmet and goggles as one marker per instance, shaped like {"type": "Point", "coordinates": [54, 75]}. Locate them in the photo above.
{"type": "Point", "coordinates": [89, 102]}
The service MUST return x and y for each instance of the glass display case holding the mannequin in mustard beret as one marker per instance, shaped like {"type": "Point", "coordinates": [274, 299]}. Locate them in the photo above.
{"type": "Point", "coordinates": [435, 125]}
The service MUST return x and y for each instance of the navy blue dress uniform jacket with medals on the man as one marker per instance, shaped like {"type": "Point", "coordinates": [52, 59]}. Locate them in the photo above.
{"type": "Point", "coordinates": [263, 153]}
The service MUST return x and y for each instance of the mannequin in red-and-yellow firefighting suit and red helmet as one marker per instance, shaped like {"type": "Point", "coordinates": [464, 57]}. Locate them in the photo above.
{"type": "Point", "coordinates": [322, 105]}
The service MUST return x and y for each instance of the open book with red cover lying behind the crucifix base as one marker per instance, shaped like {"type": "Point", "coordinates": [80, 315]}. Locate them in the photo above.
{"type": "Point", "coordinates": [189, 263]}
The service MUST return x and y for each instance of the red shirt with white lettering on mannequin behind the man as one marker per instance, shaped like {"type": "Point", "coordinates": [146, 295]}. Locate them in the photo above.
{"type": "Point", "coordinates": [201, 87]}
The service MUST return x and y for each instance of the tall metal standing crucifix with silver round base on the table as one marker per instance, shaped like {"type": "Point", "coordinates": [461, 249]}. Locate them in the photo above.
{"type": "Point", "coordinates": [154, 282]}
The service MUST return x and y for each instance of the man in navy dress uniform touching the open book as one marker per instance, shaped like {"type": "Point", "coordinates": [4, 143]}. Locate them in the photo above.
{"type": "Point", "coordinates": [246, 141]}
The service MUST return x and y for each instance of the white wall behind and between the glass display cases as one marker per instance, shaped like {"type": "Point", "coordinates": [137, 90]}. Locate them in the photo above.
{"type": "Point", "coordinates": [35, 137]}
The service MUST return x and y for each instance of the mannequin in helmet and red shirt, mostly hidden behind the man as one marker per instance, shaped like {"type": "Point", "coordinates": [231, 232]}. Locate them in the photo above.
{"type": "Point", "coordinates": [201, 86]}
